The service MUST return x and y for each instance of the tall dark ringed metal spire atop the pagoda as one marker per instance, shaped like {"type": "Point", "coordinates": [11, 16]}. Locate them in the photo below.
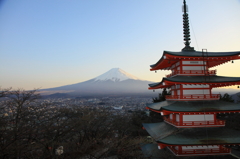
{"type": "Point", "coordinates": [186, 30]}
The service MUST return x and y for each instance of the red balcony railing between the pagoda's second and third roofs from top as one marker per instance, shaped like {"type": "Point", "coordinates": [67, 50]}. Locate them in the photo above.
{"type": "Point", "coordinates": [193, 97]}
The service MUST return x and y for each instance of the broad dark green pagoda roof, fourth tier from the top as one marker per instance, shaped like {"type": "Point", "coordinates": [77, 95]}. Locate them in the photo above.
{"type": "Point", "coordinates": [192, 136]}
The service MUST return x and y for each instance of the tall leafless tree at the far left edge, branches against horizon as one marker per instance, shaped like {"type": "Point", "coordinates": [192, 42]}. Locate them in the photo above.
{"type": "Point", "coordinates": [14, 131]}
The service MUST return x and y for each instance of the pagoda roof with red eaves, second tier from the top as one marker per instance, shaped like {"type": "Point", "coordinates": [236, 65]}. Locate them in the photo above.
{"type": "Point", "coordinates": [215, 81]}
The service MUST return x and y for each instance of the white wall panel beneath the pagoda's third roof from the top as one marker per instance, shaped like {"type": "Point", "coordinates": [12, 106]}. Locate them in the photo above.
{"type": "Point", "coordinates": [206, 117]}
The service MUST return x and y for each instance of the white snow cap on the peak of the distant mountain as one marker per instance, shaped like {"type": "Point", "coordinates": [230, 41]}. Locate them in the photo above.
{"type": "Point", "coordinates": [115, 74]}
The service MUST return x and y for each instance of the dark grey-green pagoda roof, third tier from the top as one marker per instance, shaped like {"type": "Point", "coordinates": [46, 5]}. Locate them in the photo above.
{"type": "Point", "coordinates": [194, 106]}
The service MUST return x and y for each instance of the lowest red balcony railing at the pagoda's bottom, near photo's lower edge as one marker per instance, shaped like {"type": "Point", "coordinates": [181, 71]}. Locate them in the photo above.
{"type": "Point", "coordinates": [193, 152]}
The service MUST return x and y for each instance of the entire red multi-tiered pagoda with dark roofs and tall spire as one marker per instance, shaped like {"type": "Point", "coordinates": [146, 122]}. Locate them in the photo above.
{"type": "Point", "coordinates": [191, 126]}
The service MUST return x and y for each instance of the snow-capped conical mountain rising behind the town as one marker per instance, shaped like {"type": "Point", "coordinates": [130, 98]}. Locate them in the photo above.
{"type": "Point", "coordinates": [113, 82]}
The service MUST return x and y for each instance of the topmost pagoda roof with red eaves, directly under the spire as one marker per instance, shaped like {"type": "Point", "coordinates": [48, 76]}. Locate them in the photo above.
{"type": "Point", "coordinates": [214, 58]}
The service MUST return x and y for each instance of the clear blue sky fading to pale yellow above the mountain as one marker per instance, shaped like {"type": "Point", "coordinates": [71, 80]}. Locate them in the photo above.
{"type": "Point", "coordinates": [51, 43]}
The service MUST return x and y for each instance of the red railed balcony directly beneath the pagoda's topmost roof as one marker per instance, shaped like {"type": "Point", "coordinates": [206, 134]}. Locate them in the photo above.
{"type": "Point", "coordinates": [193, 72]}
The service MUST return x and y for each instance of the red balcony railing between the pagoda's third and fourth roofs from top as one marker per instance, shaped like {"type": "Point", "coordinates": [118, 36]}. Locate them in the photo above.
{"type": "Point", "coordinates": [211, 123]}
